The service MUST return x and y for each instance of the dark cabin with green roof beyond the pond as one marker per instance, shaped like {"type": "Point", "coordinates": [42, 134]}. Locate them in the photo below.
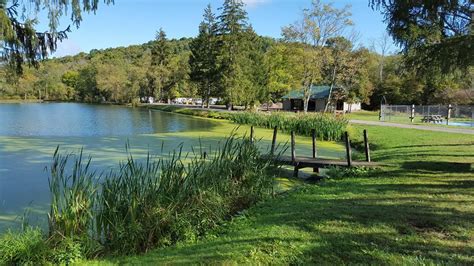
{"type": "Point", "coordinates": [293, 101]}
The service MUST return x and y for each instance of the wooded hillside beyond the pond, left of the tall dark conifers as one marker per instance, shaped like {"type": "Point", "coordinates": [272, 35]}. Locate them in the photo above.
{"type": "Point", "coordinates": [118, 73]}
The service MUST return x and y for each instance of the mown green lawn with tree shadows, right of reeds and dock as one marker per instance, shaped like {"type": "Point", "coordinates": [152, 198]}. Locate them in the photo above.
{"type": "Point", "coordinates": [420, 210]}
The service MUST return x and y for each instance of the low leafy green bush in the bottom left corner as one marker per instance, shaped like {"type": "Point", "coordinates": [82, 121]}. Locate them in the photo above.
{"type": "Point", "coordinates": [24, 248]}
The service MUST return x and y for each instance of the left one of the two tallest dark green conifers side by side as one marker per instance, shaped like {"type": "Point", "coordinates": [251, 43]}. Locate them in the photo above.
{"type": "Point", "coordinates": [203, 59]}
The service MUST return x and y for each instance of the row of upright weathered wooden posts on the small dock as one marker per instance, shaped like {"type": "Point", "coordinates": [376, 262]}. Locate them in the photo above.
{"type": "Point", "coordinates": [314, 145]}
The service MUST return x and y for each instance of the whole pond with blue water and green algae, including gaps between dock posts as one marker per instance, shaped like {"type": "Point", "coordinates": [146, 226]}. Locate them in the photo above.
{"type": "Point", "coordinates": [29, 134]}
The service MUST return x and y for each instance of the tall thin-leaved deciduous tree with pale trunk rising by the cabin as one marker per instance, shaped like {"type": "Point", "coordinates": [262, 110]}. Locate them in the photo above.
{"type": "Point", "coordinates": [318, 24]}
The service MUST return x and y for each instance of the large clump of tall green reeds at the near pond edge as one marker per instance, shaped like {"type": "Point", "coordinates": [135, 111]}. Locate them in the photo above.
{"type": "Point", "coordinates": [157, 201]}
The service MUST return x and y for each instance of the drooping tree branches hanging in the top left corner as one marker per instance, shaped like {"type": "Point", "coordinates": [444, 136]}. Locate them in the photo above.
{"type": "Point", "coordinates": [19, 40]}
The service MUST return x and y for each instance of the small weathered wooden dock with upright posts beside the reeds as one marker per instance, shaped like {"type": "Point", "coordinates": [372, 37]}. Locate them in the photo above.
{"type": "Point", "coordinates": [315, 162]}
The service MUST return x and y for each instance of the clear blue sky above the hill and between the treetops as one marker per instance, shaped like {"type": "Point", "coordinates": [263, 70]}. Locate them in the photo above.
{"type": "Point", "coordinates": [136, 21]}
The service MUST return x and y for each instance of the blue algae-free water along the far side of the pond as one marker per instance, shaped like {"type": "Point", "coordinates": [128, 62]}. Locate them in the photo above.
{"type": "Point", "coordinates": [81, 120]}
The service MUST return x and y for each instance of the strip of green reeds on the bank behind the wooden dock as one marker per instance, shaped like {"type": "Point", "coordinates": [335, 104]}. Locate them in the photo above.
{"type": "Point", "coordinates": [327, 127]}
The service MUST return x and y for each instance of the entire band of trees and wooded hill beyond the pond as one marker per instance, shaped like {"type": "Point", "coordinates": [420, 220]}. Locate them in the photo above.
{"type": "Point", "coordinates": [230, 61]}
